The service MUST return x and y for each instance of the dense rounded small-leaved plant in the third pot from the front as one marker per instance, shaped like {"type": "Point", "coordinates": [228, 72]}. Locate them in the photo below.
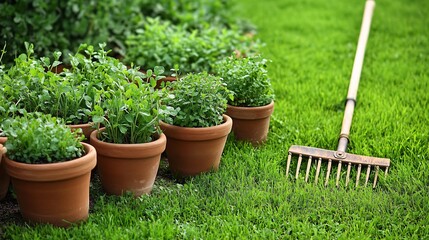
{"type": "Point", "coordinates": [199, 100]}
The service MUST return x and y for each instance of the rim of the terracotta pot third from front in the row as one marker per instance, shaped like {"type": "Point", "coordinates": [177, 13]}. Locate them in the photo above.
{"type": "Point", "coordinates": [198, 133]}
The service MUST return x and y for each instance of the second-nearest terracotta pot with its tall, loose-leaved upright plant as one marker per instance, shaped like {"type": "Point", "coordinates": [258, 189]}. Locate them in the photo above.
{"type": "Point", "coordinates": [130, 144]}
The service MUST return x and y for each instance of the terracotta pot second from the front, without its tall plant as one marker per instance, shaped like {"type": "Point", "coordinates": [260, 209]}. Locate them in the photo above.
{"type": "Point", "coordinates": [128, 167]}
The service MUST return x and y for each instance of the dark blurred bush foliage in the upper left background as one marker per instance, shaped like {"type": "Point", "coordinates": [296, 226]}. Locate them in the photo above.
{"type": "Point", "coordinates": [63, 25]}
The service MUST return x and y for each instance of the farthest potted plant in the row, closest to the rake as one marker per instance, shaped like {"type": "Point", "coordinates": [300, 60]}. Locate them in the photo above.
{"type": "Point", "coordinates": [253, 101]}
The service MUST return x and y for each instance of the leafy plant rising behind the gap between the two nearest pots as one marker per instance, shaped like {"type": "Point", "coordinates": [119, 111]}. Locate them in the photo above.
{"type": "Point", "coordinates": [88, 81]}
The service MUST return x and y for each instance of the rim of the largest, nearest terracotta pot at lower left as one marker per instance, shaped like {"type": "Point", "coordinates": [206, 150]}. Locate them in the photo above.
{"type": "Point", "coordinates": [53, 171]}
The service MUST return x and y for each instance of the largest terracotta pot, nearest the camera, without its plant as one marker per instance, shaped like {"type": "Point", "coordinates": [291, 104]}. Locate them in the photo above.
{"type": "Point", "coordinates": [55, 193]}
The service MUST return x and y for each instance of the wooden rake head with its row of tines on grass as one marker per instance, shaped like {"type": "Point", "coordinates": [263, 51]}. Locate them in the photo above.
{"type": "Point", "coordinates": [332, 157]}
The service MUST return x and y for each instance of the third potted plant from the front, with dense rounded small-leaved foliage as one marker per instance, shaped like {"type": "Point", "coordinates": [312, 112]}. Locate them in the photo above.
{"type": "Point", "coordinates": [197, 131]}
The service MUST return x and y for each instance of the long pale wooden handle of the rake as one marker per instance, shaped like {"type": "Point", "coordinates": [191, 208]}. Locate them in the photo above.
{"type": "Point", "coordinates": [355, 77]}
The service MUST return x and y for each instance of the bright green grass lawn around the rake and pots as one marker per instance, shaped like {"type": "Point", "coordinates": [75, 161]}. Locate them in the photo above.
{"type": "Point", "coordinates": [312, 45]}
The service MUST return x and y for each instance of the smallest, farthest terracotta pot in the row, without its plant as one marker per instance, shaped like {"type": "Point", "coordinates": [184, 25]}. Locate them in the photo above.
{"type": "Point", "coordinates": [251, 123]}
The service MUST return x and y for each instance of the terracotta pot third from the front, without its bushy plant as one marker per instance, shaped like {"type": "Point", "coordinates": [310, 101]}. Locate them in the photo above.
{"type": "Point", "coordinates": [191, 151]}
